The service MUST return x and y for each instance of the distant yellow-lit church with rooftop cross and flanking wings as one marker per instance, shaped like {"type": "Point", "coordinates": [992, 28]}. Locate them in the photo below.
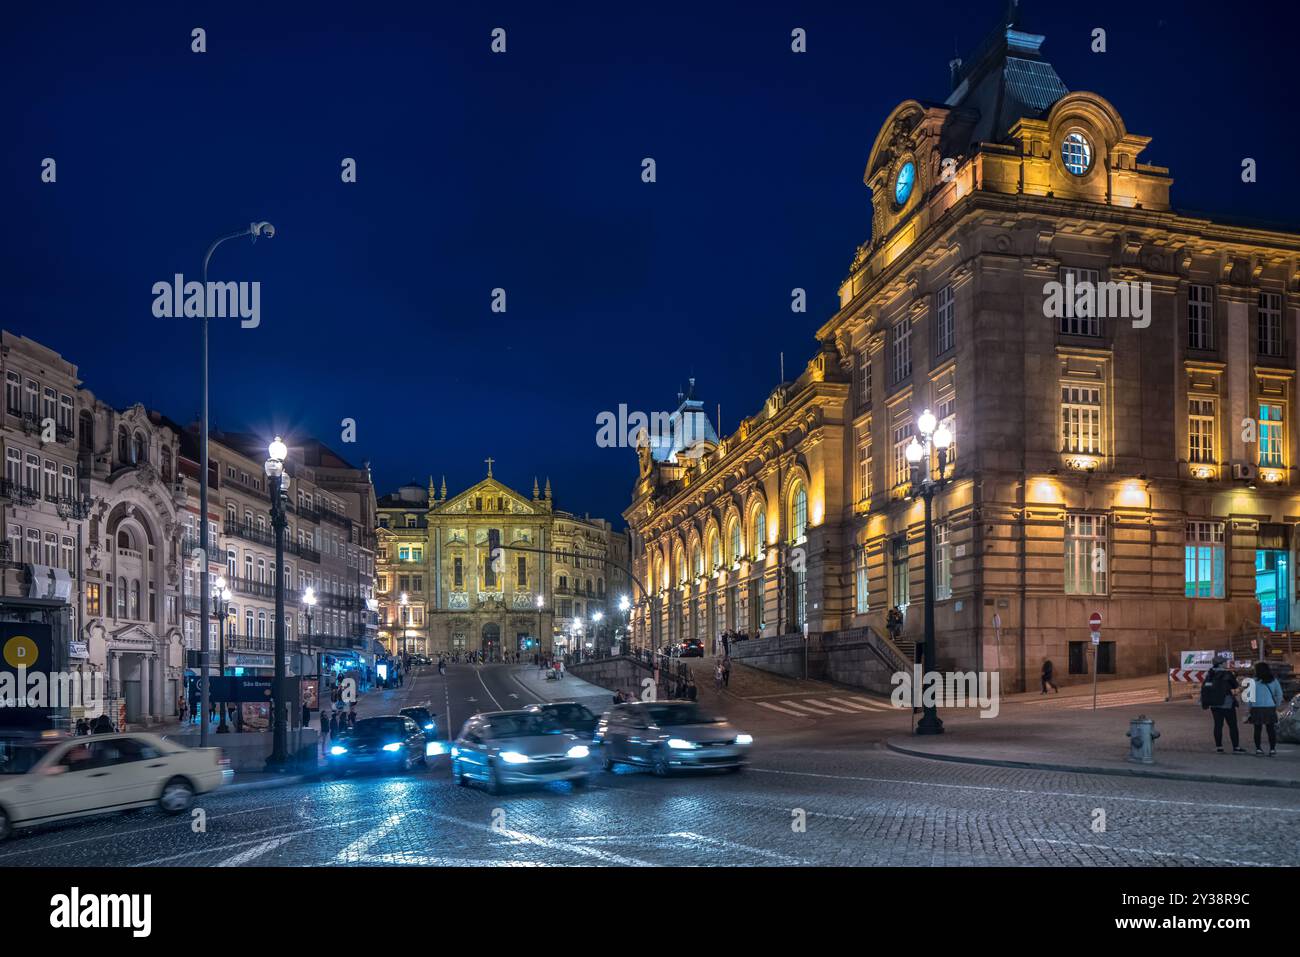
{"type": "Point", "coordinates": [441, 594]}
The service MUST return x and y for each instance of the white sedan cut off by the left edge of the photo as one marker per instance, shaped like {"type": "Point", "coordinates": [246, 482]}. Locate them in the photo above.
{"type": "Point", "coordinates": [57, 780]}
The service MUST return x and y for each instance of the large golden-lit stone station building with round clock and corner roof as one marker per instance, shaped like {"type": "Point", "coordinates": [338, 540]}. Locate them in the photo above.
{"type": "Point", "coordinates": [1136, 460]}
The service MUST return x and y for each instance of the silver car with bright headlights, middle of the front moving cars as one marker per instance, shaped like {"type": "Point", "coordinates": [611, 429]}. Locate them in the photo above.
{"type": "Point", "coordinates": [504, 748]}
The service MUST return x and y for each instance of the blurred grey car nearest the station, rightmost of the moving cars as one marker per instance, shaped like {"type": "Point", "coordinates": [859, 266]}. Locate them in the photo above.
{"type": "Point", "coordinates": [670, 737]}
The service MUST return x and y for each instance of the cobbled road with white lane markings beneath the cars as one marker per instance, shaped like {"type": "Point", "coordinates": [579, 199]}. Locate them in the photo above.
{"type": "Point", "coordinates": [825, 795]}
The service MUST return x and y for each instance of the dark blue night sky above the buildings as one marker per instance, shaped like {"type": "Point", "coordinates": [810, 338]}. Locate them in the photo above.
{"type": "Point", "coordinates": [523, 172]}
